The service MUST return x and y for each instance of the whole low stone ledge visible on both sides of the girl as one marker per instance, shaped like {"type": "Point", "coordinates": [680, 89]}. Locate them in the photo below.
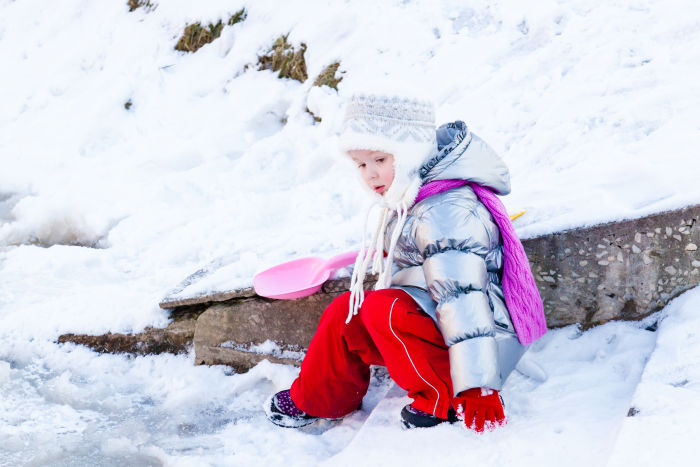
{"type": "Point", "coordinates": [620, 270]}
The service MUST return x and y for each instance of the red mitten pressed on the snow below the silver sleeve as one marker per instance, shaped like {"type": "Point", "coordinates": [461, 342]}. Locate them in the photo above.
{"type": "Point", "coordinates": [479, 406]}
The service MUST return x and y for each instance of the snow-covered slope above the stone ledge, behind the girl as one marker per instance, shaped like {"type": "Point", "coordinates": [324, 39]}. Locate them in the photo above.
{"type": "Point", "coordinates": [592, 106]}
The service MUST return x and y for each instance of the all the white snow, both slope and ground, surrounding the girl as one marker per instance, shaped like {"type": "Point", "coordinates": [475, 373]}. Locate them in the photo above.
{"type": "Point", "coordinates": [104, 209]}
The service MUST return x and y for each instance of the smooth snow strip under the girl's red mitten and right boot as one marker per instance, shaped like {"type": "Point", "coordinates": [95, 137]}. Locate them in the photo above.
{"type": "Point", "coordinates": [574, 415]}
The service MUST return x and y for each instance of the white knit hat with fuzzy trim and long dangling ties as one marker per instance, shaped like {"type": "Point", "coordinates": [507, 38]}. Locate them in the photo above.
{"type": "Point", "coordinates": [401, 125]}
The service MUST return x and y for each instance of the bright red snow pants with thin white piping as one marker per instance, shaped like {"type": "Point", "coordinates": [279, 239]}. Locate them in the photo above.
{"type": "Point", "coordinates": [391, 330]}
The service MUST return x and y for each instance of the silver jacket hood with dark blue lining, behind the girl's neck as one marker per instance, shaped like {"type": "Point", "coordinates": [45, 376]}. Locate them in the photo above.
{"type": "Point", "coordinates": [464, 156]}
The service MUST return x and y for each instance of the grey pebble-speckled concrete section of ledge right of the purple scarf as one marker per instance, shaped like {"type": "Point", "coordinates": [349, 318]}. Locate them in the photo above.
{"type": "Point", "coordinates": [625, 288]}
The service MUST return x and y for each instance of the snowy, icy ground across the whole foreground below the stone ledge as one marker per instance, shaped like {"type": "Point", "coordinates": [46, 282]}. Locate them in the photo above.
{"type": "Point", "coordinates": [69, 406]}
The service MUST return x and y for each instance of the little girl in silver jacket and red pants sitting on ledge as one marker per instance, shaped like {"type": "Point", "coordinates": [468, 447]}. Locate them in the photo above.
{"type": "Point", "coordinates": [455, 303]}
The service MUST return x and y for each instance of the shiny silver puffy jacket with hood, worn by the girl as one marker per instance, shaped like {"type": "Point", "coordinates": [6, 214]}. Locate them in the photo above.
{"type": "Point", "coordinates": [449, 258]}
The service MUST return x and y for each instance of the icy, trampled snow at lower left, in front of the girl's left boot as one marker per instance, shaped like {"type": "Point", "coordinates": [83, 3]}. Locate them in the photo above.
{"type": "Point", "coordinates": [68, 405]}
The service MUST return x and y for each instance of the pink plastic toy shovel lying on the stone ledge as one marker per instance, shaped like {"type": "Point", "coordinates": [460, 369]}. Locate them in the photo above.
{"type": "Point", "coordinates": [299, 278]}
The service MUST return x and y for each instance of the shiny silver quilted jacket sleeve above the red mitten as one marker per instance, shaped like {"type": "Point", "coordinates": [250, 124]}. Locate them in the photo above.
{"type": "Point", "coordinates": [455, 239]}
